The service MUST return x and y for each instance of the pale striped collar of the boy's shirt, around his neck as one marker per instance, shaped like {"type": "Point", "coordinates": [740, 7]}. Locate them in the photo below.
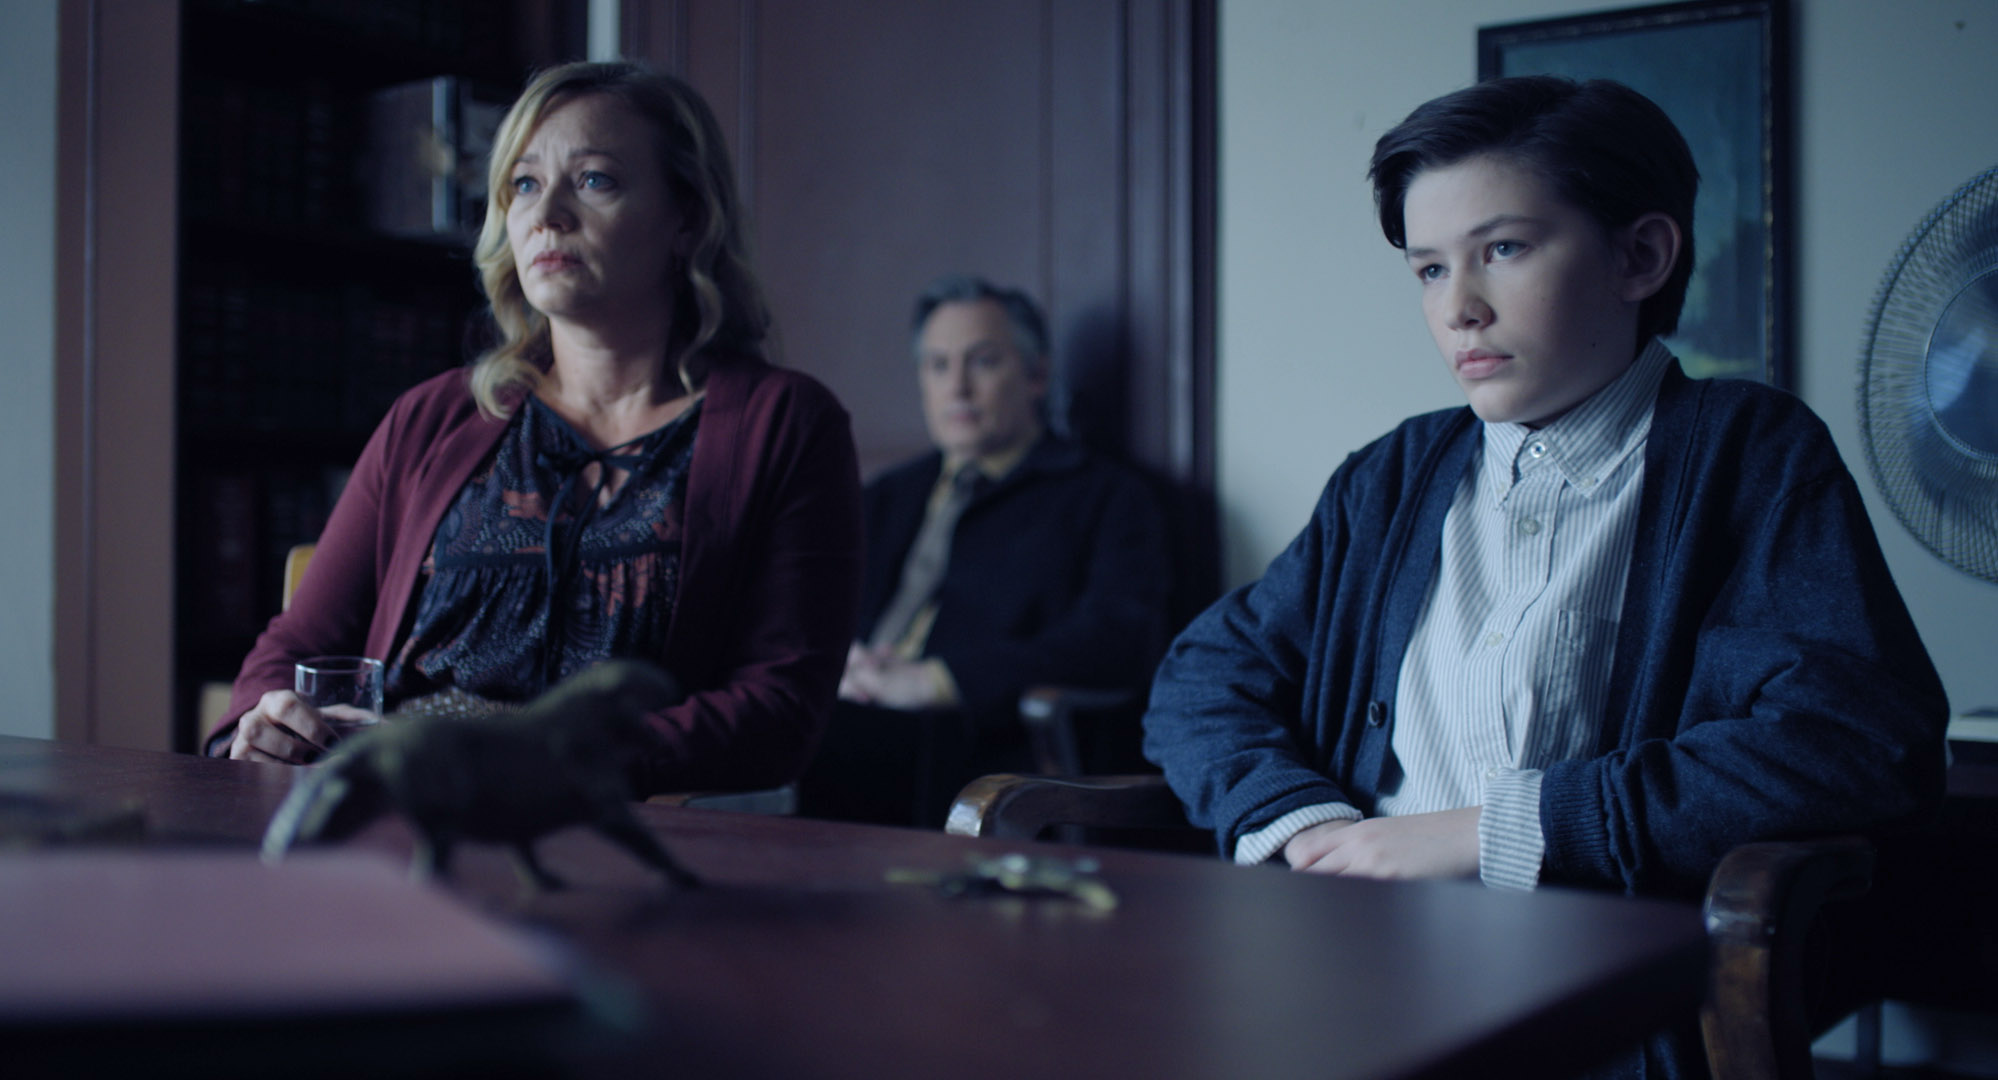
{"type": "Point", "coordinates": [1587, 442]}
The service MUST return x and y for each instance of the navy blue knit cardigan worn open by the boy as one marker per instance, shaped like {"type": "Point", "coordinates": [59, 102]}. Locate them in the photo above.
{"type": "Point", "coordinates": [1767, 676]}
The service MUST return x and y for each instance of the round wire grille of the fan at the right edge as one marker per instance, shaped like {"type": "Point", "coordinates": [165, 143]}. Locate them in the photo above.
{"type": "Point", "coordinates": [1943, 486]}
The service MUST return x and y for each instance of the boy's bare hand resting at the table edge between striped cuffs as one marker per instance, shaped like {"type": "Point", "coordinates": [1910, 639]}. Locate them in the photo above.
{"type": "Point", "coordinates": [1442, 845]}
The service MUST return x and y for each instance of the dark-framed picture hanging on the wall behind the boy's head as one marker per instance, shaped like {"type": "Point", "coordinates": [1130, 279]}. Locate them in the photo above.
{"type": "Point", "coordinates": [1719, 69]}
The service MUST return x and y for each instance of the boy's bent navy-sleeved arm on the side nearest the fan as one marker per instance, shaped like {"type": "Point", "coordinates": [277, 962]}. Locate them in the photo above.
{"type": "Point", "coordinates": [1805, 708]}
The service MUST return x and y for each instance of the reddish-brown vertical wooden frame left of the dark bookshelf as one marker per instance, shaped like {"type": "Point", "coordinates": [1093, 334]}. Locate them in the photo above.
{"type": "Point", "coordinates": [117, 221]}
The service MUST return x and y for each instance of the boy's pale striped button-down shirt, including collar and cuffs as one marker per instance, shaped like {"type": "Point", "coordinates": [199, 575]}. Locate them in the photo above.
{"type": "Point", "coordinates": [1509, 662]}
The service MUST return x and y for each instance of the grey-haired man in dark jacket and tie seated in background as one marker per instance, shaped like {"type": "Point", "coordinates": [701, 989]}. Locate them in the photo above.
{"type": "Point", "coordinates": [1004, 558]}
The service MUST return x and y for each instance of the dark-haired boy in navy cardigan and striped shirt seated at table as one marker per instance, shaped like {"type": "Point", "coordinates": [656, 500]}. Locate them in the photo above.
{"type": "Point", "coordinates": [1595, 630]}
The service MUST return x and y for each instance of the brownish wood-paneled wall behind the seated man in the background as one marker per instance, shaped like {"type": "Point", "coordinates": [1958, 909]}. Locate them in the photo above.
{"type": "Point", "coordinates": [1064, 147]}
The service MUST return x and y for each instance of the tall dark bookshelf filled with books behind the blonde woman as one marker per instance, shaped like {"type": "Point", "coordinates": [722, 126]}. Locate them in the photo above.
{"type": "Point", "coordinates": [299, 322]}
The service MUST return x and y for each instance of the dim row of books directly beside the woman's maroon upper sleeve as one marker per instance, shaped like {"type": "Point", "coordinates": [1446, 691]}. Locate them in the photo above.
{"type": "Point", "coordinates": [247, 522]}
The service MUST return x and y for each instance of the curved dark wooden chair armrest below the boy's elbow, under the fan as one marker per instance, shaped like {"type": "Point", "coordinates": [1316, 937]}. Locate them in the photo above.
{"type": "Point", "coordinates": [1759, 911]}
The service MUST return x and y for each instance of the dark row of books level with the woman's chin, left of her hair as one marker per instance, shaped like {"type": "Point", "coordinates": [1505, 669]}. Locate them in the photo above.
{"type": "Point", "coordinates": [297, 360]}
